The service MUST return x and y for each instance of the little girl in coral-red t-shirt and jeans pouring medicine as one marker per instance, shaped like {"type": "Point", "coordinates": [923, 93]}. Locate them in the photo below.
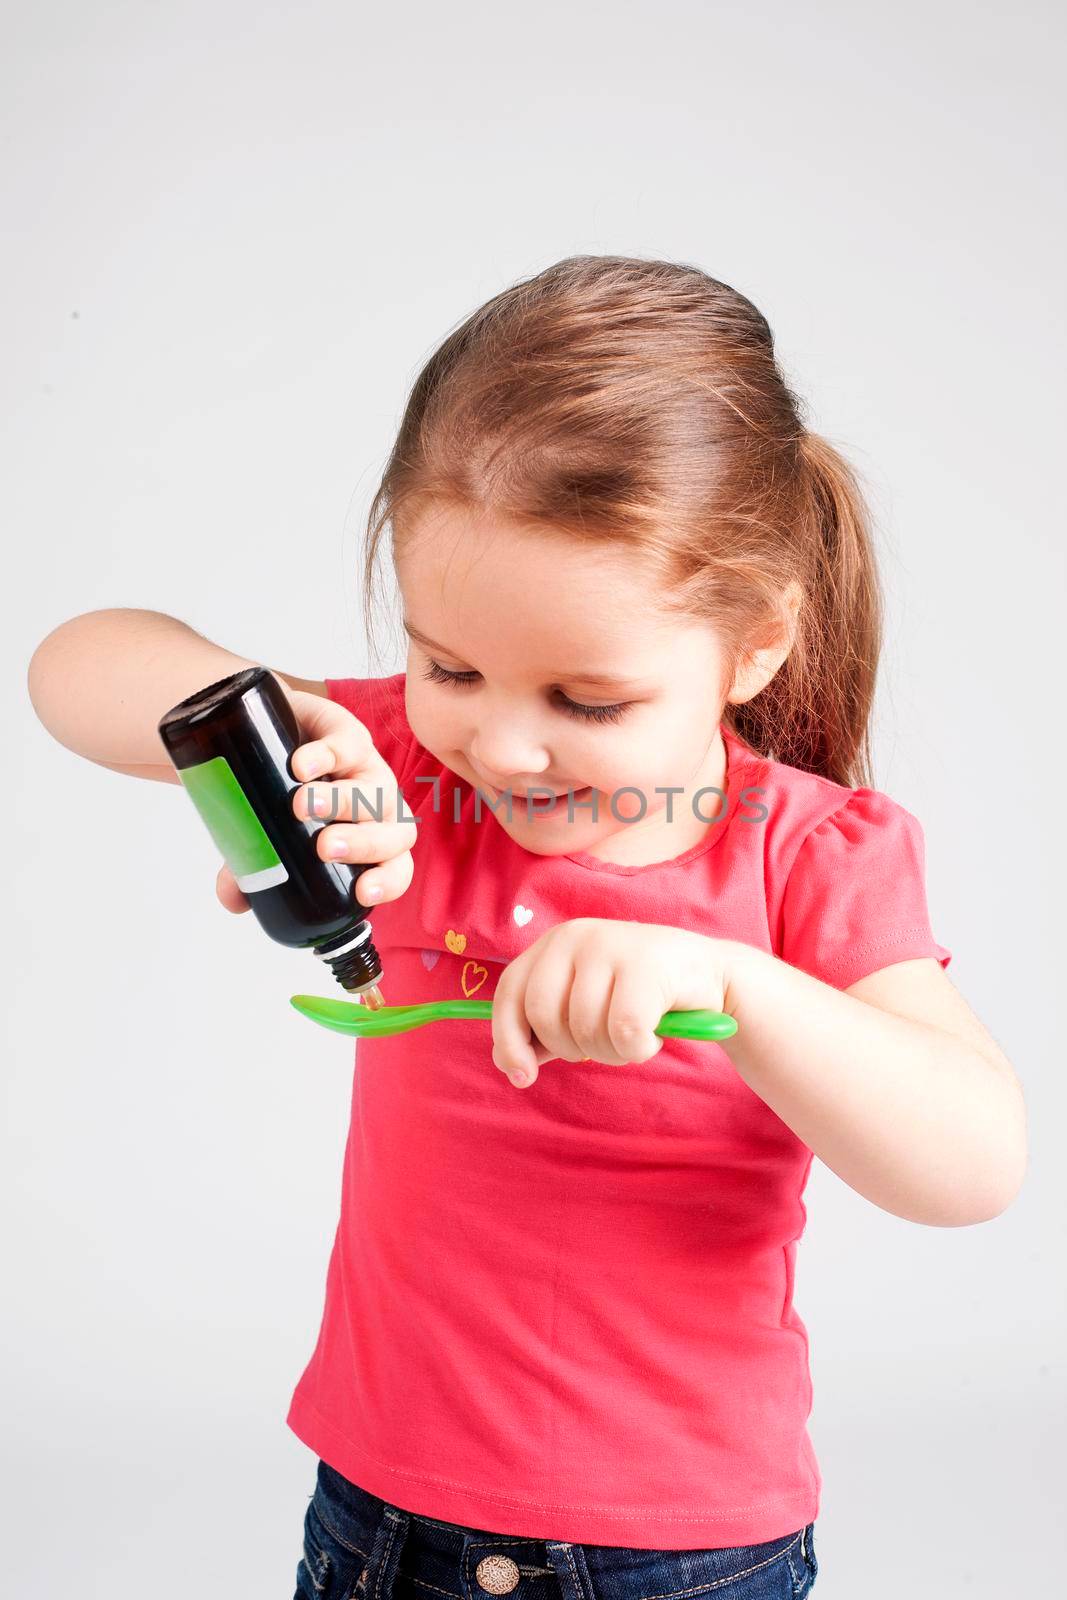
{"type": "Point", "coordinates": [625, 774]}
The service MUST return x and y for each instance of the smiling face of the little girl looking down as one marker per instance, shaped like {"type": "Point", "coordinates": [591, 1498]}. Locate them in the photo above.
{"type": "Point", "coordinates": [535, 663]}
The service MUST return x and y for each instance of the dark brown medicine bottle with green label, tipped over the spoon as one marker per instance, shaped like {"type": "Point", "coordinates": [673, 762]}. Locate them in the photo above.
{"type": "Point", "coordinates": [231, 745]}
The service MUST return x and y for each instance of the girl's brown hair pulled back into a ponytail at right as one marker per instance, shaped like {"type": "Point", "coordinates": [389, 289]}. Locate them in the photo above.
{"type": "Point", "coordinates": [641, 402]}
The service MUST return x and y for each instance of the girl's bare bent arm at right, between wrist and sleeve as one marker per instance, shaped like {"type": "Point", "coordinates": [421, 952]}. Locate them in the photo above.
{"type": "Point", "coordinates": [895, 1084]}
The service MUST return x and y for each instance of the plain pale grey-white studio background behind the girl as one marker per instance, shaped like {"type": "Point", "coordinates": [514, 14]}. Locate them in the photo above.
{"type": "Point", "coordinates": [234, 233]}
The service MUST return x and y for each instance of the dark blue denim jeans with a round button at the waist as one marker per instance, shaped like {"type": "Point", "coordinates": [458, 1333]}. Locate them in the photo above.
{"type": "Point", "coordinates": [362, 1548]}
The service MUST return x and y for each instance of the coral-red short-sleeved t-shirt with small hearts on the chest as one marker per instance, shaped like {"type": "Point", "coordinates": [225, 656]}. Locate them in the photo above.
{"type": "Point", "coordinates": [567, 1311]}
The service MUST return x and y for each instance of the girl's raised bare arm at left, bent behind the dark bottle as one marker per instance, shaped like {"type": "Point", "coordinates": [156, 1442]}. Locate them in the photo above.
{"type": "Point", "coordinates": [102, 682]}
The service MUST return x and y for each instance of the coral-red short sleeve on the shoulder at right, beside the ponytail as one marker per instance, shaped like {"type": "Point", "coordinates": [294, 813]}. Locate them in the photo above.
{"type": "Point", "coordinates": [857, 894]}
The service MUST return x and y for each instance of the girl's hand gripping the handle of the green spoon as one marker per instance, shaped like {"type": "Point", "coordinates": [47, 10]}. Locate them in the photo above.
{"type": "Point", "coordinates": [596, 990]}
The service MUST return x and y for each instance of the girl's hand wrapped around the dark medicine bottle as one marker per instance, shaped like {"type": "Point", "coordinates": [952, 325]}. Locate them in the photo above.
{"type": "Point", "coordinates": [338, 751]}
